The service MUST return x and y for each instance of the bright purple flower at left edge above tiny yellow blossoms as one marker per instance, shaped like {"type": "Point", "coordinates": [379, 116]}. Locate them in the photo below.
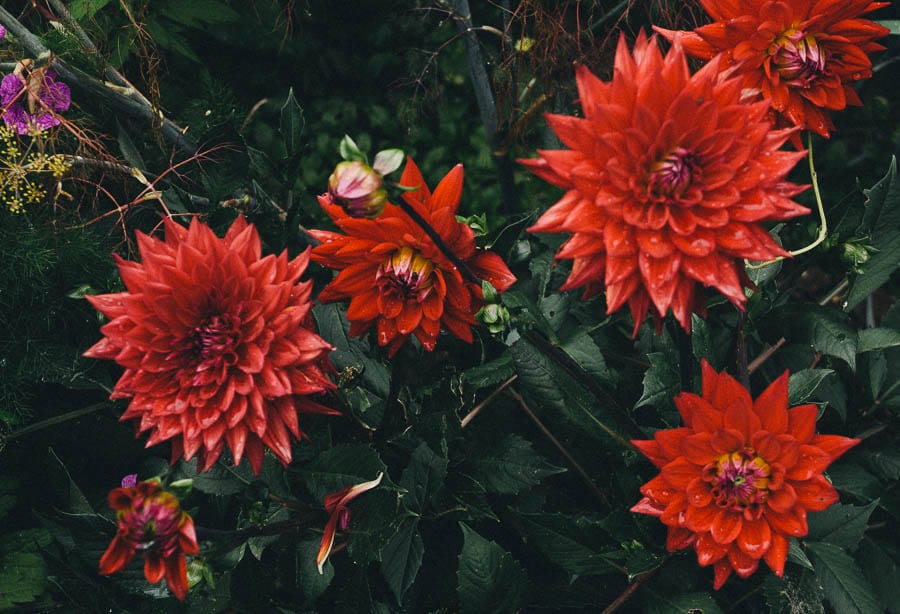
{"type": "Point", "coordinates": [46, 95]}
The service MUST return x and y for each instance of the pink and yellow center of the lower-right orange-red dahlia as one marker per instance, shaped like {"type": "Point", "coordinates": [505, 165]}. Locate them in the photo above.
{"type": "Point", "coordinates": [739, 480]}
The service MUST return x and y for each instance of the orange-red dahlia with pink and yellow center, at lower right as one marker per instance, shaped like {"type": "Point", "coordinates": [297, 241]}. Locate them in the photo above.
{"type": "Point", "coordinates": [736, 481]}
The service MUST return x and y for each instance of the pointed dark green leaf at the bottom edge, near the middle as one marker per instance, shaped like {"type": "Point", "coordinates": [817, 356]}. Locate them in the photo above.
{"type": "Point", "coordinates": [489, 578]}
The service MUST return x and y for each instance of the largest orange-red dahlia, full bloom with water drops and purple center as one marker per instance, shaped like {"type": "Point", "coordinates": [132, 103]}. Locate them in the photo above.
{"type": "Point", "coordinates": [668, 178]}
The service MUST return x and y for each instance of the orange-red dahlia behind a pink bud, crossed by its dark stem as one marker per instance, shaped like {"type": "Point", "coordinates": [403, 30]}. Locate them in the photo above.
{"type": "Point", "coordinates": [394, 274]}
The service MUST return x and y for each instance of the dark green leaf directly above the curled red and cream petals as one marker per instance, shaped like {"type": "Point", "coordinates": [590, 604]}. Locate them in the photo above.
{"type": "Point", "coordinates": [339, 467]}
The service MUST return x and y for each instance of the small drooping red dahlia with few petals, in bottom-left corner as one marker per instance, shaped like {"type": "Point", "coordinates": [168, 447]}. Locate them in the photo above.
{"type": "Point", "coordinates": [151, 522]}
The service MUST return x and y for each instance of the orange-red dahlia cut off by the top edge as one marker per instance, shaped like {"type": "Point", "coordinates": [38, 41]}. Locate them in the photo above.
{"type": "Point", "coordinates": [803, 55]}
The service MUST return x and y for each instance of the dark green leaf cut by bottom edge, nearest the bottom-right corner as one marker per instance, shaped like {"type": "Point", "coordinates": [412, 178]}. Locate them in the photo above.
{"type": "Point", "coordinates": [845, 586]}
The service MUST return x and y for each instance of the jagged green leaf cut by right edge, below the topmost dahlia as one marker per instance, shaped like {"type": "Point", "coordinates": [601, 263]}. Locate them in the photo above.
{"type": "Point", "coordinates": [882, 222]}
